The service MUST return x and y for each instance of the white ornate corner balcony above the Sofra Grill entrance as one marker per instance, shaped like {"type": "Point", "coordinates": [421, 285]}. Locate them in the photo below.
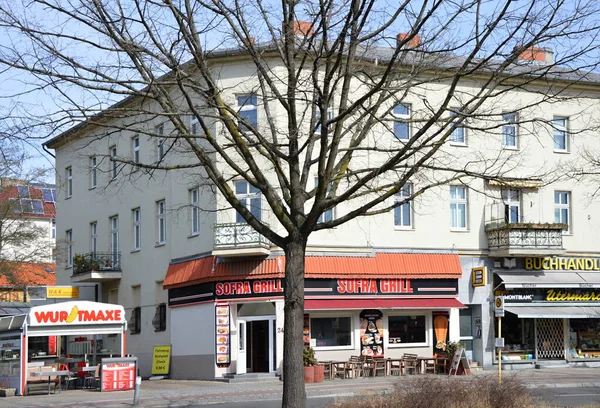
{"type": "Point", "coordinates": [239, 239]}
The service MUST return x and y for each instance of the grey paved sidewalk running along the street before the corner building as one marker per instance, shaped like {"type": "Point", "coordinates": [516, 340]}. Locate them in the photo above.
{"type": "Point", "coordinates": [172, 393]}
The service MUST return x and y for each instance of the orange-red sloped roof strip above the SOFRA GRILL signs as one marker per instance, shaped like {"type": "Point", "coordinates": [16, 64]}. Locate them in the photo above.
{"type": "Point", "coordinates": [382, 265]}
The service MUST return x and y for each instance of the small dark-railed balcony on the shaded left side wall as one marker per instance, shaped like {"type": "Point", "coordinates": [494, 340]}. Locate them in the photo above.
{"type": "Point", "coordinates": [96, 267]}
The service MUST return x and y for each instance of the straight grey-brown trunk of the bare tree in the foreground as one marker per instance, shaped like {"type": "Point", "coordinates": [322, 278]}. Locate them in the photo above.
{"type": "Point", "coordinates": [294, 394]}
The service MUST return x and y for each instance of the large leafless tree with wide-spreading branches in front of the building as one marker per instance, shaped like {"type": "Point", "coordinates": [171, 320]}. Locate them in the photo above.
{"type": "Point", "coordinates": [327, 87]}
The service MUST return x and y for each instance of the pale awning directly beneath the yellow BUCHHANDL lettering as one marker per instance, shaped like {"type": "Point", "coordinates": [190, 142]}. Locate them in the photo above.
{"type": "Point", "coordinates": [549, 279]}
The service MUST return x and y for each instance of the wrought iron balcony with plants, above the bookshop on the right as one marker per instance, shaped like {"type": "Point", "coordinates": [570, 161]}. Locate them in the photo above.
{"type": "Point", "coordinates": [521, 239]}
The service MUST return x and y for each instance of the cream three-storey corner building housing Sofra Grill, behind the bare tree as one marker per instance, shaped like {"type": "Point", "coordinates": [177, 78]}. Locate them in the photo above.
{"type": "Point", "coordinates": [190, 274]}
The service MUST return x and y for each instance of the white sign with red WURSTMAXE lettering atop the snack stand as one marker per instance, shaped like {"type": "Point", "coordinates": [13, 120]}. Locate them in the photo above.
{"type": "Point", "coordinates": [81, 313]}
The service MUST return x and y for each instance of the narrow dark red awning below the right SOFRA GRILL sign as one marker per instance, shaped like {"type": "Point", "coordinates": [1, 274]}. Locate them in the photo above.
{"type": "Point", "coordinates": [434, 303]}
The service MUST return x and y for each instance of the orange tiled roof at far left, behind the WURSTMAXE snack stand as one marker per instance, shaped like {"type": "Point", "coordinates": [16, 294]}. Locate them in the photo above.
{"type": "Point", "coordinates": [27, 274]}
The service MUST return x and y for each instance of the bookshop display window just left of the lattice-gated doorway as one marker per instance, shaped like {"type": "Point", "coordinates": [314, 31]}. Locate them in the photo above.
{"type": "Point", "coordinates": [519, 338]}
